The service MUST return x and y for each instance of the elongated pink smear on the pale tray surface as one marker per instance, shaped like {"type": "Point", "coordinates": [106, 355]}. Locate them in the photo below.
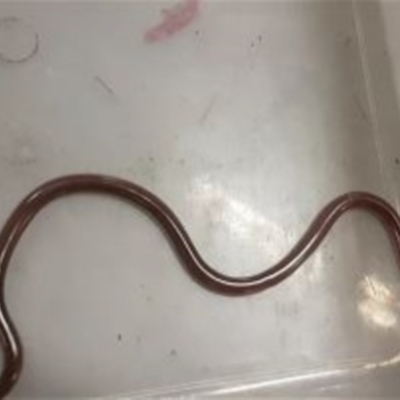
{"type": "Point", "coordinates": [175, 19]}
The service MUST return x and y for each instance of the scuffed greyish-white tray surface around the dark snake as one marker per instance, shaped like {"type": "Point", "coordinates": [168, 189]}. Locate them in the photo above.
{"type": "Point", "coordinates": [246, 123]}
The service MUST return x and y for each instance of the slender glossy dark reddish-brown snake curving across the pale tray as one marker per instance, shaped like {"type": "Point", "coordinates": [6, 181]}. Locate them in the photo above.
{"type": "Point", "coordinates": [190, 258]}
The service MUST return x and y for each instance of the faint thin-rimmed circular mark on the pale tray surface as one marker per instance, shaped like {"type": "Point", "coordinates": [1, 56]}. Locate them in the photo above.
{"type": "Point", "coordinates": [18, 40]}
